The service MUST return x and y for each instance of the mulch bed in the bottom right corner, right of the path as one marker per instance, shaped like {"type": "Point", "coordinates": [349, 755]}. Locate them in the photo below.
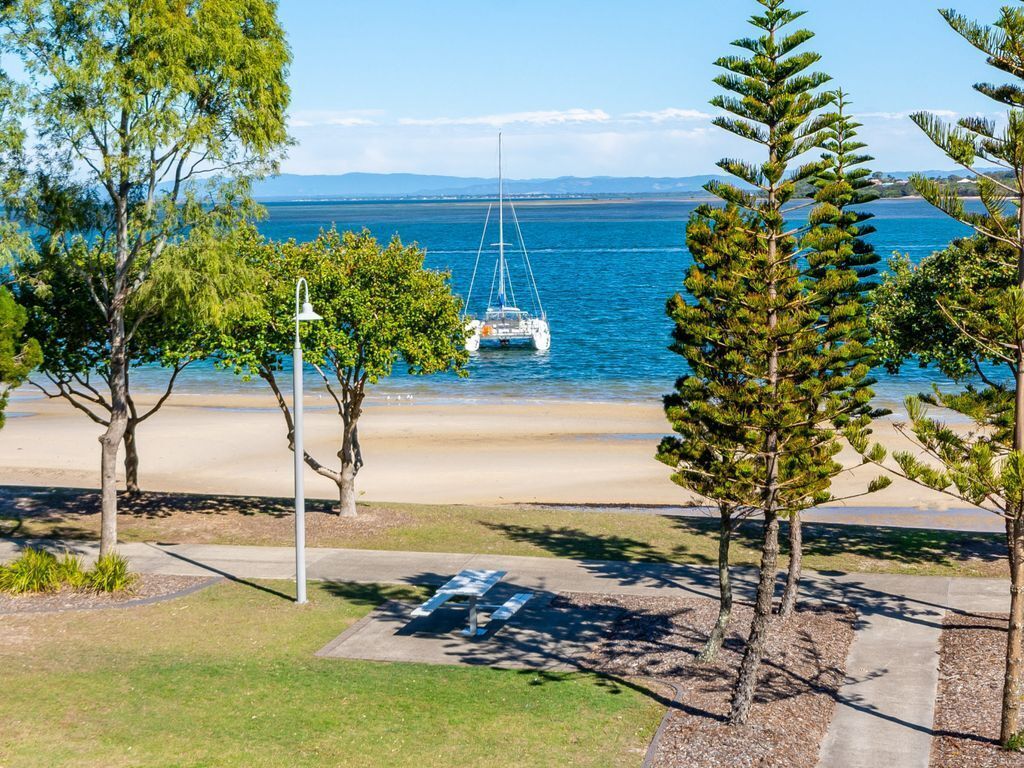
{"type": "Point", "coordinates": [972, 660]}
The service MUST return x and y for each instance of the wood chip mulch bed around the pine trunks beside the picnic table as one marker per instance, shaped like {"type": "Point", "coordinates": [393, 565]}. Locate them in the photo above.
{"type": "Point", "coordinates": [661, 637]}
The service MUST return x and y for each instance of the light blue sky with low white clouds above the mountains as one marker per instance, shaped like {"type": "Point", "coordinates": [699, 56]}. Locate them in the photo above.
{"type": "Point", "coordinates": [593, 88]}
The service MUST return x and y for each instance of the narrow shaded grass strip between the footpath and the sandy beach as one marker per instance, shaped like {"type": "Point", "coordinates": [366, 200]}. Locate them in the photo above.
{"type": "Point", "coordinates": [506, 531]}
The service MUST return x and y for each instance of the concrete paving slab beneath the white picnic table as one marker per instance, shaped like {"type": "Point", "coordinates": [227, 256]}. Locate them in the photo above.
{"type": "Point", "coordinates": [544, 635]}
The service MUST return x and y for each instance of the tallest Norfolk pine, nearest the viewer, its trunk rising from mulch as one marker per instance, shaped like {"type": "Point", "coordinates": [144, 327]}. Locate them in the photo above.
{"type": "Point", "coordinates": [777, 105]}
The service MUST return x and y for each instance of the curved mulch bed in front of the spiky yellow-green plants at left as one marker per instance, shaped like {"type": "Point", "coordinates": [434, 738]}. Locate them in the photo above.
{"type": "Point", "coordinates": [149, 588]}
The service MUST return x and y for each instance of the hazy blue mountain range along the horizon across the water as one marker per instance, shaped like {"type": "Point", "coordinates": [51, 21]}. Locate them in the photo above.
{"type": "Point", "coordinates": [350, 186]}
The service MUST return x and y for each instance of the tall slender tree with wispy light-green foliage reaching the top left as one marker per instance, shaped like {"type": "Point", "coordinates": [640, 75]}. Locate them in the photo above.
{"type": "Point", "coordinates": [134, 103]}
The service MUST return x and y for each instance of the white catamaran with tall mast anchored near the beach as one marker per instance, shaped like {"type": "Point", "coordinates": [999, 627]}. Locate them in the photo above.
{"type": "Point", "coordinates": [504, 323]}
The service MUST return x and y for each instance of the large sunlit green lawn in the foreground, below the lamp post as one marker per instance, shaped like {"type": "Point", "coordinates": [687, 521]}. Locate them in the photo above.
{"type": "Point", "coordinates": [227, 677]}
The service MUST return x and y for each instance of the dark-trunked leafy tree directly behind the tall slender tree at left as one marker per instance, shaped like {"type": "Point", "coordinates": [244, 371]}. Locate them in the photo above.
{"type": "Point", "coordinates": [172, 323]}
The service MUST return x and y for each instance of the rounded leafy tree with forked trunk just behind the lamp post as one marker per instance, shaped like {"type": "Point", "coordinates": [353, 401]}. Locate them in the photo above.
{"type": "Point", "coordinates": [380, 308]}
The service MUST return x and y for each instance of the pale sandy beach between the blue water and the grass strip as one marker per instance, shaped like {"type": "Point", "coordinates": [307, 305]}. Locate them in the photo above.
{"type": "Point", "coordinates": [529, 453]}
